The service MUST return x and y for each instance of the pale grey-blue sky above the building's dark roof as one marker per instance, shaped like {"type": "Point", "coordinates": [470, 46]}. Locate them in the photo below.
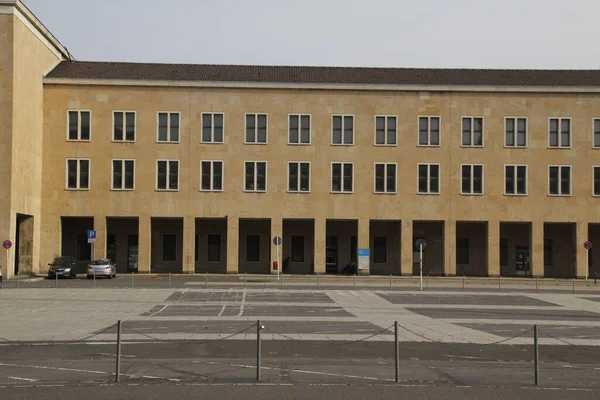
{"type": "Point", "coordinates": [387, 33]}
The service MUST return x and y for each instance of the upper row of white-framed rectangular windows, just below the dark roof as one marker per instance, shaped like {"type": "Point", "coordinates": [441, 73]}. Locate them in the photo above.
{"type": "Point", "coordinates": [342, 129]}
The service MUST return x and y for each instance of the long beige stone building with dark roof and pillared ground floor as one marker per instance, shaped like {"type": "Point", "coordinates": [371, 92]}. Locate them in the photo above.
{"type": "Point", "coordinates": [196, 168]}
